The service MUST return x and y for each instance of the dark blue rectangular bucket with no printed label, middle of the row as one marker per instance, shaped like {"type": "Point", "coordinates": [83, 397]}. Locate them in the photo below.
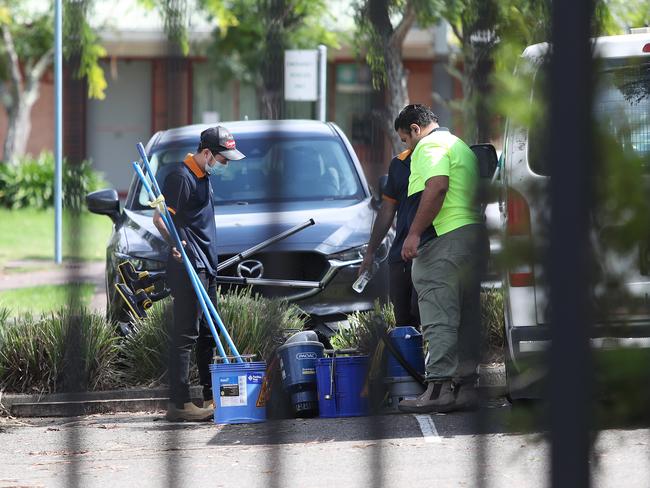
{"type": "Point", "coordinates": [342, 386]}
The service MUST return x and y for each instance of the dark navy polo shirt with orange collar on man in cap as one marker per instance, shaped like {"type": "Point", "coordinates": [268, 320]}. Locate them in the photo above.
{"type": "Point", "coordinates": [189, 198]}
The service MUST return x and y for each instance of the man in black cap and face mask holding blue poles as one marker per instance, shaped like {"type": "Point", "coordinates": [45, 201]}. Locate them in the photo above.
{"type": "Point", "coordinates": [189, 198]}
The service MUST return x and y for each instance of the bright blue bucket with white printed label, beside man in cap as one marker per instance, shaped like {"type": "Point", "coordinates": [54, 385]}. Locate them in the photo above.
{"type": "Point", "coordinates": [238, 394]}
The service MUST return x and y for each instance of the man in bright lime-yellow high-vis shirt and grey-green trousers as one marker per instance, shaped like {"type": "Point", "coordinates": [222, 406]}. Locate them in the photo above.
{"type": "Point", "coordinates": [446, 242]}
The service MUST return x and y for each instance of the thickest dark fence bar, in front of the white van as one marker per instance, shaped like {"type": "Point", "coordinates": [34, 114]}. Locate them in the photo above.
{"type": "Point", "coordinates": [570, 154]}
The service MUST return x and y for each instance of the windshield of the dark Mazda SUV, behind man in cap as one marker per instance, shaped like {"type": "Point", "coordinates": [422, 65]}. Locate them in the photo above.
{"type": "Point", "coordinates": [276, 169]}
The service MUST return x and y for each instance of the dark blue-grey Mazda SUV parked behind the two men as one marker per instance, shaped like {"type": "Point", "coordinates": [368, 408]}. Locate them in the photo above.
{"type": "Point", "coordinates": [294, 171]}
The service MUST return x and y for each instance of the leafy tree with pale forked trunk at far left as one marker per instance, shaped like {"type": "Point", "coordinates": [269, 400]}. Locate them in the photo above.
{"type": "Point", "coordinates": [26, 53]}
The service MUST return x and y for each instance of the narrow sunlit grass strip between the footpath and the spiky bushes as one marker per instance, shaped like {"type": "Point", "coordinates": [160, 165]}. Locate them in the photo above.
{"type": "Point", "coordinates": [41, 299]}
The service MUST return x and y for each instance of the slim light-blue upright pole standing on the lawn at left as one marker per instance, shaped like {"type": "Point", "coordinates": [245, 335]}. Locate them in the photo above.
{"type": "Point", "coordinates": [58, 128]}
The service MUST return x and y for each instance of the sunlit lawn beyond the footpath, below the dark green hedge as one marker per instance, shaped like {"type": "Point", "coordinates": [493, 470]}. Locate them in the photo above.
{"type": "Point", "coordinates": [28, 234]}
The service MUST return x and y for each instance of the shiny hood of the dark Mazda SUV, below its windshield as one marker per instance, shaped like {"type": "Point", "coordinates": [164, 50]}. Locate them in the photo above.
{"type": "Point", "coordinates": [339, 225]}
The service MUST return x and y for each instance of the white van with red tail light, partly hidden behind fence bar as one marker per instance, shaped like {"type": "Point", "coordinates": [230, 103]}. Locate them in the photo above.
{"type": "Point", "coordinates": [622, 107]}
